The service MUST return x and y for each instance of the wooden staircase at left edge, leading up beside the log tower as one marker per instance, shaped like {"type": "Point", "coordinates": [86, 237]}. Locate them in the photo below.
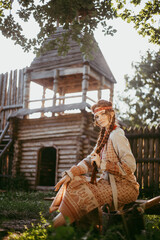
{"type": "Point", "coordinates": [5, 140]}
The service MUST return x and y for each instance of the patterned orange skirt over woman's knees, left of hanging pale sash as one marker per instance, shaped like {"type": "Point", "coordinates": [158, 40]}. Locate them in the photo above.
{"type": "Point", "coordinates": [81, 197]}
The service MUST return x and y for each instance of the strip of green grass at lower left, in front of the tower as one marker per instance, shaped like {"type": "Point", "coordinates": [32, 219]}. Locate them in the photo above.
{"type": "Point", "coordinates": [24, 205]}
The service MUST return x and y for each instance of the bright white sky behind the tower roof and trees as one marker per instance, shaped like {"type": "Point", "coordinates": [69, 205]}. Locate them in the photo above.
{"type": "Point", "coordinates": [120, 50]}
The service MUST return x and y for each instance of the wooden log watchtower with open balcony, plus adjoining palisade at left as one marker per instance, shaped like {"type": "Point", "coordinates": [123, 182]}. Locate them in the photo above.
{"type": "Point", "coordinates": [45, 147]}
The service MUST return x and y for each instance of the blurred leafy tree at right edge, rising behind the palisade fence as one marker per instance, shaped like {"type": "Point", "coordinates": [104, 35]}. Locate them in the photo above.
{"type": "Point", "coordinates": [143, 106]}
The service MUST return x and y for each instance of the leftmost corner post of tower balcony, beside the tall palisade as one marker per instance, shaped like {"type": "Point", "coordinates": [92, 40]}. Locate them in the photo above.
{"type": "Point", "coordinates": [26, 88]}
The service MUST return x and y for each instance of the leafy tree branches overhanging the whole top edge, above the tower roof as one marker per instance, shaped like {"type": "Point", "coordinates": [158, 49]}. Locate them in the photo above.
{"type": "Point", "coordinates": [79, 17]}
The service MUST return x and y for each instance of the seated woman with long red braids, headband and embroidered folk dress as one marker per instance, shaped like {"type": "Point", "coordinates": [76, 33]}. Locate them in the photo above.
{"type": "Point", "coordinates": [117, 185]}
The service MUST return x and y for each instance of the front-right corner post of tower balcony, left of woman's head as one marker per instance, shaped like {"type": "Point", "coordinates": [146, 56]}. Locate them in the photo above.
{"type": "Point", "coordinates": [85, 81]}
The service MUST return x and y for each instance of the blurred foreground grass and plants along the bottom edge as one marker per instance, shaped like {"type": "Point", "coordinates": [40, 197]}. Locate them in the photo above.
{"type": "Point", "coordinates": [44, 230]}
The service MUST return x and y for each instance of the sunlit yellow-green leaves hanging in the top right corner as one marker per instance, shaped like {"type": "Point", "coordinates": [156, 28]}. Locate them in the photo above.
{"type": "Point", "coordinates": [144, 15]}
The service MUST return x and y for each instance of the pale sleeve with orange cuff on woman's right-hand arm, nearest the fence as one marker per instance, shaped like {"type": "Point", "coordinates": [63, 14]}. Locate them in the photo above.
{"type": "Point", "coordinates": [127, 164]}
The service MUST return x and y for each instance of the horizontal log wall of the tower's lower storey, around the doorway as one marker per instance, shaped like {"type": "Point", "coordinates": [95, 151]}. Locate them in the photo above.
{"type": "Point", "coordinates": [69, 134]}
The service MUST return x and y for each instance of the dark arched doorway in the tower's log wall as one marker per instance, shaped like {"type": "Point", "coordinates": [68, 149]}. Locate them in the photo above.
{"type": "Point", "coordinates": [47, 166]}
